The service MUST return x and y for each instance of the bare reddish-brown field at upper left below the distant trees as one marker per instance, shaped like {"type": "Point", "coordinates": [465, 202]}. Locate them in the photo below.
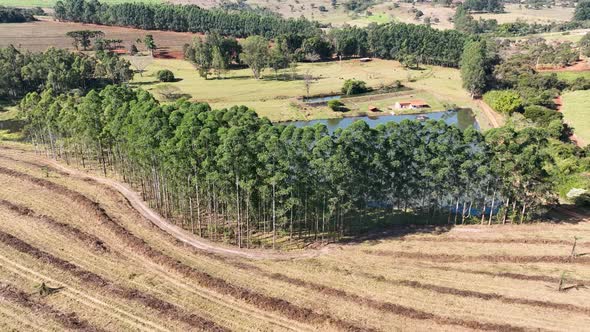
{"type": "Point", "coordinates": [38, 36]}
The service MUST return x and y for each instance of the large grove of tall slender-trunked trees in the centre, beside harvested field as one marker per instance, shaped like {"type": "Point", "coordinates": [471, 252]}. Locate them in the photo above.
{"type": "Point", "coordinates": [229, 175]}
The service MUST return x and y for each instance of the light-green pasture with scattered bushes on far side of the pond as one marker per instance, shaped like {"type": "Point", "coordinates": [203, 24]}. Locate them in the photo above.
{"type": "Point", "coordinates": [278, 99]}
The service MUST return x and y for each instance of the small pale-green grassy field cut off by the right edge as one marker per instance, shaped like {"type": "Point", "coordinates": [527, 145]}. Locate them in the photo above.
{"type": "Point", "coordinates": [576, 111]}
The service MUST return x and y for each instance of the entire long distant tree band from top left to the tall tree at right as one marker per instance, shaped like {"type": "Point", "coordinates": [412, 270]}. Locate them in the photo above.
{"type": "Point", "coordinates": [301, 38]}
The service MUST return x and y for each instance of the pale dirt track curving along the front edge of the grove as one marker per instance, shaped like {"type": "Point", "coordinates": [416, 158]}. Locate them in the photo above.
{"type": "Point", "coordinates": [180, 234]}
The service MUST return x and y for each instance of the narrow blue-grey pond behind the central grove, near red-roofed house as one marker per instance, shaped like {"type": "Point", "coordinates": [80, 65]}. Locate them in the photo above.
{"type": "Point", "coordinates": [462, 118]}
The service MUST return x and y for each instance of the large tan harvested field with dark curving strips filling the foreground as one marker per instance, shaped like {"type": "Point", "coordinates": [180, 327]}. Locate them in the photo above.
{"type": "Point", "coordinates": [110, 269]}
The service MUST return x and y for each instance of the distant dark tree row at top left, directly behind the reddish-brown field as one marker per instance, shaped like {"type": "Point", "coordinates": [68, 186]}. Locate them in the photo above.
{"type": "Point", "coordinates": [189, 18]}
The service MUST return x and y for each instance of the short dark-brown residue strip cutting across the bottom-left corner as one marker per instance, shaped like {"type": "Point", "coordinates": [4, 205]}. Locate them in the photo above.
{"type": "Point", "coordinates": [68, 320]}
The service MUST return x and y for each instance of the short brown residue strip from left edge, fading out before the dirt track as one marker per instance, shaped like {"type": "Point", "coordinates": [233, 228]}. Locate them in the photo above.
{"type": "Point", "coordinates": [94, 242]}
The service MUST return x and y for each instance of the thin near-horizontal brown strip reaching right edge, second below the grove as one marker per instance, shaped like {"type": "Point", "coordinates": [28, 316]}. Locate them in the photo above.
{"type": "Point", "coordinates": [447, 258]}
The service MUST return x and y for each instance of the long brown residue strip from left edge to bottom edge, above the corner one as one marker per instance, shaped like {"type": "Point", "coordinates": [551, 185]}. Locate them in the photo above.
{"type": "Point", "coordinates": [167, 309]}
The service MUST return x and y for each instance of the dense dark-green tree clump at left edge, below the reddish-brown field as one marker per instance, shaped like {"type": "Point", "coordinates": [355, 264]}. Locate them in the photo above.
{"type": "Point", "coordinates": [58, 69]}
